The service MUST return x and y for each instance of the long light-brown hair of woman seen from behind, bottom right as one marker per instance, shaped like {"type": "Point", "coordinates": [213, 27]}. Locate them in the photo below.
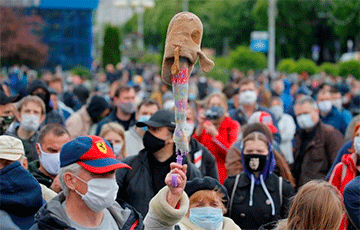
{"type": "Point", "coordinates": [317, 205]}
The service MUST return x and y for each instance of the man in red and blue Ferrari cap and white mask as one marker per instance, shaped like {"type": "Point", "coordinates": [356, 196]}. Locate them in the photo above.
{"type": "Point", "coordinates": [87, 177]}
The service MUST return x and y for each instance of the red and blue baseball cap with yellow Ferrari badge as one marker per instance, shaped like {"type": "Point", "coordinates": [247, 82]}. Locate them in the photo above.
{"type": "Point", "coordinates": [91, 152]}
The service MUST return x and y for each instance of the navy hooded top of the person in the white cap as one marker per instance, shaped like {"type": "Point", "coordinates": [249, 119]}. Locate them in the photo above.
{"type": "Point", "coordinates": [20, 195]}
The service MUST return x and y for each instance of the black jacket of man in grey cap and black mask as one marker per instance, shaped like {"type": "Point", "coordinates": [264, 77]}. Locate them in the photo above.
{"type": "Point", "coordinates": [136, 186]}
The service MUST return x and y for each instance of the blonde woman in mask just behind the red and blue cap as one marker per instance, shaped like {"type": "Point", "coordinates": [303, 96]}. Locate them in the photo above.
{"type": "Point", "coordinates": [114, 133]}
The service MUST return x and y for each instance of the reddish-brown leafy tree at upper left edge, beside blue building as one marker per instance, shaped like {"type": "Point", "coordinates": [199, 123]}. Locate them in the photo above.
{"type": "Point", "coordinates": [21, 39]}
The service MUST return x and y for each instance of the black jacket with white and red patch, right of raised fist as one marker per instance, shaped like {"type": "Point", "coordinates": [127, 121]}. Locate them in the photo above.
{"type": "Point", "coordinates": [207, 163]}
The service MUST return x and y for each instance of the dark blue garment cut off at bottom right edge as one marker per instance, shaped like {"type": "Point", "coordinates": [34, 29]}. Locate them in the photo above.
{"type": "Point", "coordinates": [352, 200]}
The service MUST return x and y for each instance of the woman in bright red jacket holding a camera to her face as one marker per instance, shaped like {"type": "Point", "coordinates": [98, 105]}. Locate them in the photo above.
{"type": "Point", "coordinates": [216, 130]}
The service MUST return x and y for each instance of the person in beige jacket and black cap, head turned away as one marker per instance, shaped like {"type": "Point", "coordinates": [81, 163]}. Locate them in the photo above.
{"type": "Point", "coordinates": [80, 122]}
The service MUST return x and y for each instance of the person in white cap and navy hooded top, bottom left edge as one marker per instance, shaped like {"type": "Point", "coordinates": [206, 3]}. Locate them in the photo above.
{"type": "Point", "coordinates": [20, 193]}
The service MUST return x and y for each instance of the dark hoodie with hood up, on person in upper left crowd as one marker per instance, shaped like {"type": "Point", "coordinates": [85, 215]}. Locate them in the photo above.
{"type": "Point", "coordinates": [51, 115]}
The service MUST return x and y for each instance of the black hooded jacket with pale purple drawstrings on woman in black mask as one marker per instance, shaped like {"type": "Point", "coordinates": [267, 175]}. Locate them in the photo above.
{"type": "Point", "coordinates": [252, 217]}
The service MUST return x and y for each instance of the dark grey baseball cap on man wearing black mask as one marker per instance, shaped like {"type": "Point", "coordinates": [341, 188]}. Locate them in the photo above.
{"type": "Point", "coordinates": [162, 118]}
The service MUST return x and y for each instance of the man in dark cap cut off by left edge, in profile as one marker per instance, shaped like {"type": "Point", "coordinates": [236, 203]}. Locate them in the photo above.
{"type": "Point", "coordinates": [6, 110]}
